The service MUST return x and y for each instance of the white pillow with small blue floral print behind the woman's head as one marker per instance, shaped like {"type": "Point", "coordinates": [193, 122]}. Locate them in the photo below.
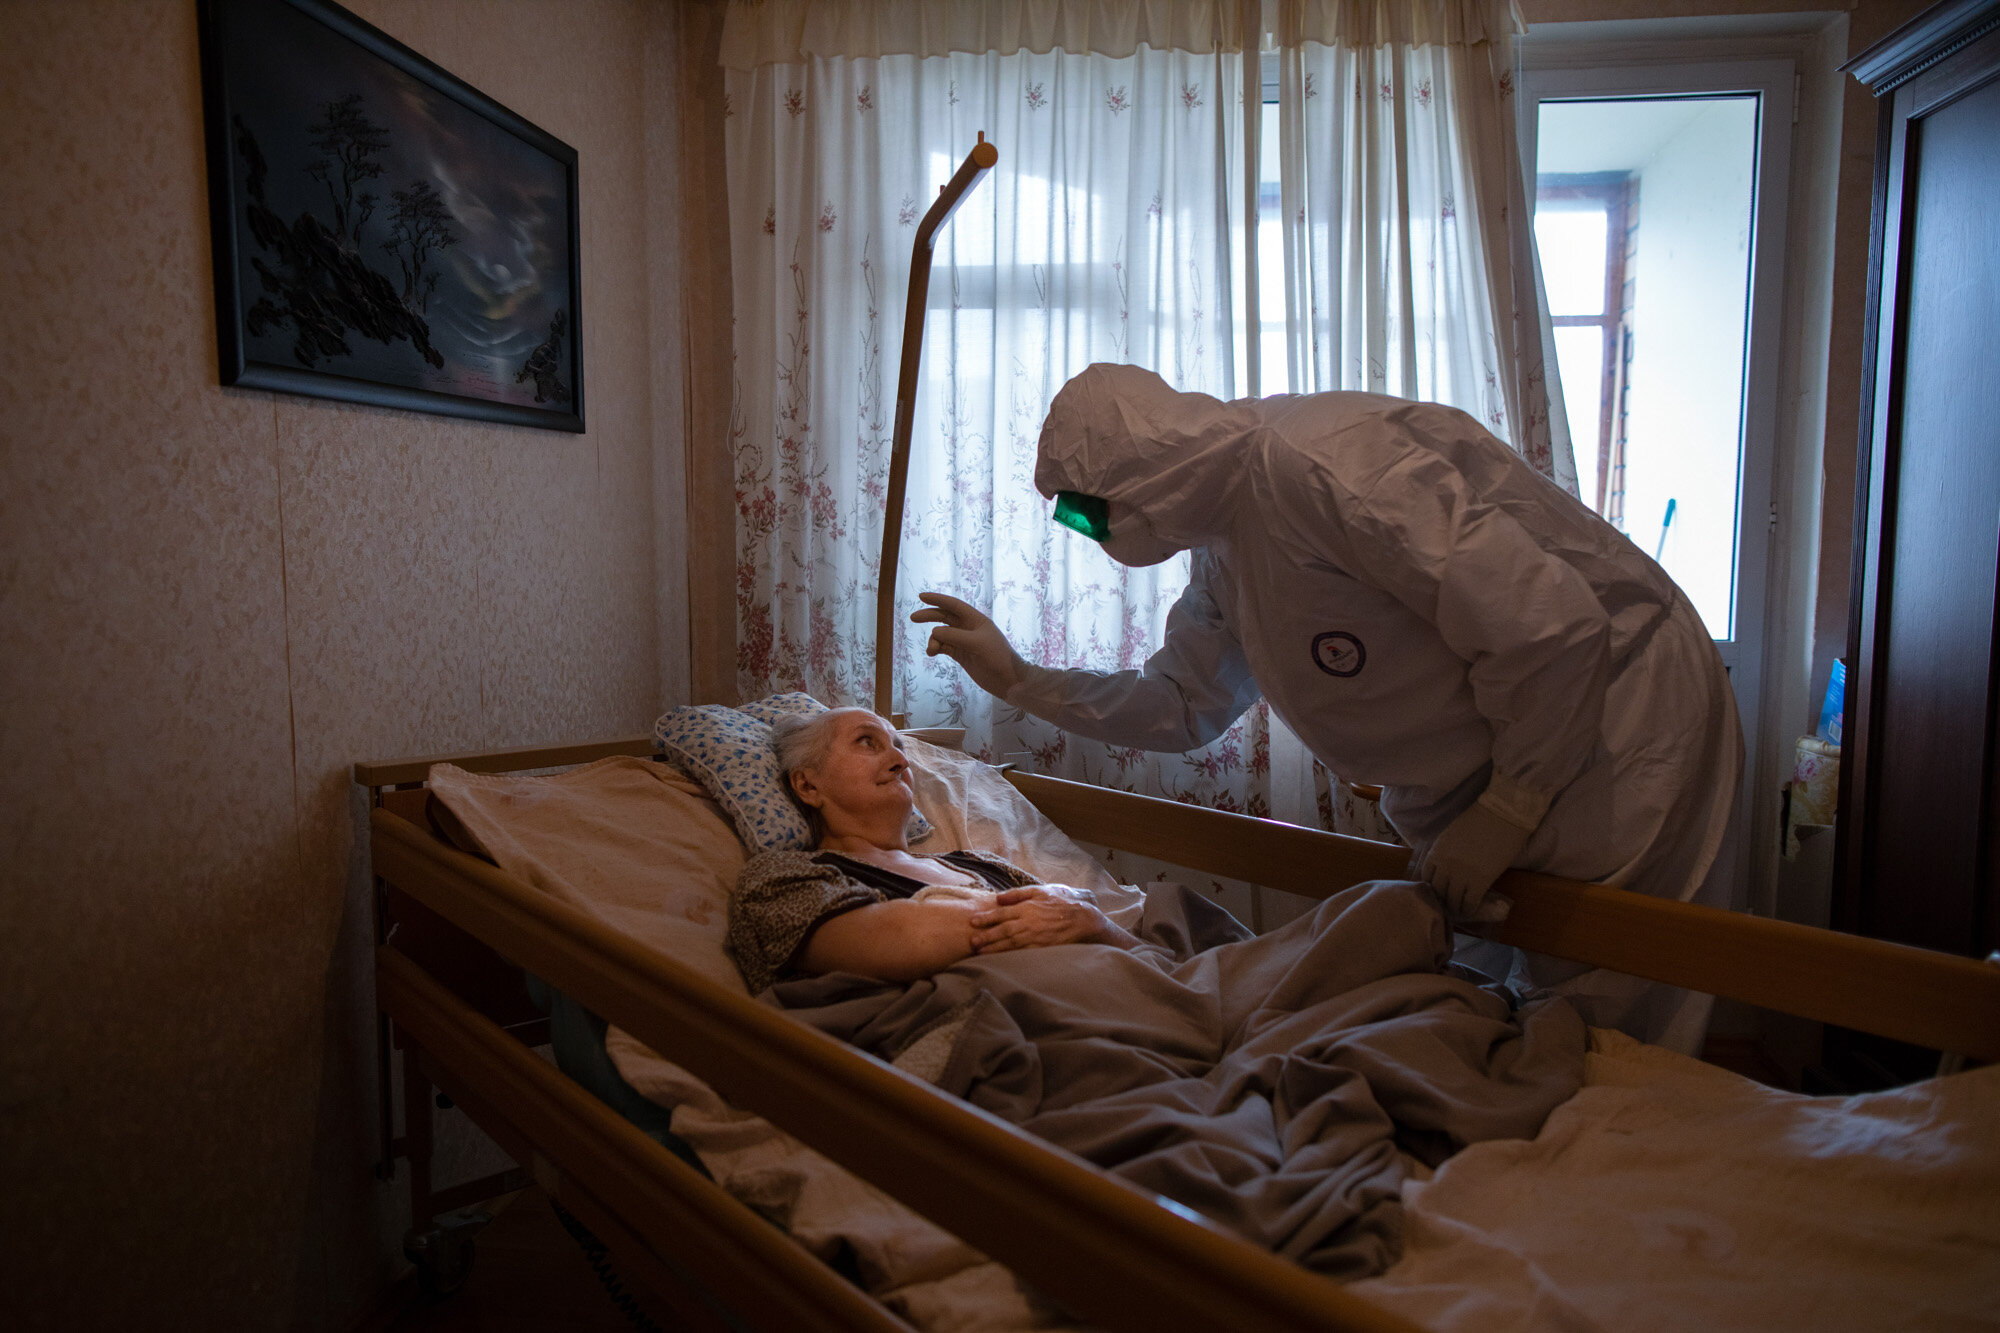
{"type": "Point", "coordinates": [731, 754]}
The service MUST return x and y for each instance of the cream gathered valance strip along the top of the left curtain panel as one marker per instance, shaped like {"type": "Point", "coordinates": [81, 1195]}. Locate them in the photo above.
{"type": "Point", "coordinates": [795, 31]}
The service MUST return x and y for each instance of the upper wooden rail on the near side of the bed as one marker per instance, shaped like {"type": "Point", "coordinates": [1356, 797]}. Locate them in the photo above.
{"type": "Point", "coordinates": [1099, 1246]}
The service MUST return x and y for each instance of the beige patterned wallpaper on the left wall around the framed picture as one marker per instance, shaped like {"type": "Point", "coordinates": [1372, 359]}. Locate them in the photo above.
{"type": "Point", "coordinates": [213, 603]}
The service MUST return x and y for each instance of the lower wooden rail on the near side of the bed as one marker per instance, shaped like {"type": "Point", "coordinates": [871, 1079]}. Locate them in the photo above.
{"type": "Point", "coordinates": [537, 1112]}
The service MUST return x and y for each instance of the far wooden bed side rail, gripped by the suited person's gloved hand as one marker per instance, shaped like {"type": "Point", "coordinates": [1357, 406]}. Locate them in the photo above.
{"type": "Point", "coordinates": [1919, 996]}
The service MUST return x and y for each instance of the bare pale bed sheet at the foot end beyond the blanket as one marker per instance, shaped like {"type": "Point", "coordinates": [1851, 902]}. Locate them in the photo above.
{"type": "Point", "coordinates": [1677, 1196]}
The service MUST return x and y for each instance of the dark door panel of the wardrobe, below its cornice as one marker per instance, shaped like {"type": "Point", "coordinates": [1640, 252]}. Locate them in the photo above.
{"type": "Point", "coordinates": [1939, 625]}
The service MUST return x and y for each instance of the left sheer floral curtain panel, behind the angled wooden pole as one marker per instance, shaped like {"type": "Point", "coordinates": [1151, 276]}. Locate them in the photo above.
{"type": "Point", "coordinates": [1105, 233]}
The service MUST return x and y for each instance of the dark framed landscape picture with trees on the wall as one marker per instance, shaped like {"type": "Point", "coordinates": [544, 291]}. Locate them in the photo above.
{"type": "Point", "coordinates": [385, 233]}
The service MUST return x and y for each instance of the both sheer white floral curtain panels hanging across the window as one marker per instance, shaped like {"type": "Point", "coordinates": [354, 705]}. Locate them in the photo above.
{"type": "Point", "coordinates": [1109, 231]}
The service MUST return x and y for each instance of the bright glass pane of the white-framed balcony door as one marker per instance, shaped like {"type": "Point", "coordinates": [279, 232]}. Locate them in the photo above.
{"type": "Point", "coordinates": [1645, 215]}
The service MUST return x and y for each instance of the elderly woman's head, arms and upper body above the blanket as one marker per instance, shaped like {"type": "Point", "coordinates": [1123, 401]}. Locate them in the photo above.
{"type": "Point", "coordinates": [863, 902]}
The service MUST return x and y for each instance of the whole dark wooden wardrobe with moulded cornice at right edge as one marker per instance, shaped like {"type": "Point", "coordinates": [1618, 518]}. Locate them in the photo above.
{"type": "Point", "coordinates": [1919, 856]}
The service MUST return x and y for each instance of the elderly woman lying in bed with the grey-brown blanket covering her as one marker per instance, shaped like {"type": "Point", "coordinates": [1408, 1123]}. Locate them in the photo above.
{"type": "Point", "coordinates": [1281, 1084]}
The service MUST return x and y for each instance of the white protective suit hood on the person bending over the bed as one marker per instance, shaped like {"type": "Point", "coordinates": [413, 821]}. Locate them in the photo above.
{"type": "Point", "coordinates": [1167, 463]}
